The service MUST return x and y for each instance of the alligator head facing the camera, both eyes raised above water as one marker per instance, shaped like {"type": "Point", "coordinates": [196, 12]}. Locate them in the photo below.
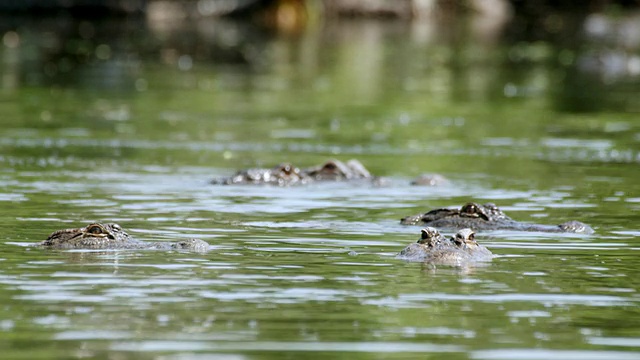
{"type": "Point", "coordinates": [460, 250]}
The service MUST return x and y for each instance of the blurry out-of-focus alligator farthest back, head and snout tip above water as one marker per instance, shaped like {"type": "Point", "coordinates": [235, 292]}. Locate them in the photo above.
{"type": "Point", "coordinates": [286, 174]}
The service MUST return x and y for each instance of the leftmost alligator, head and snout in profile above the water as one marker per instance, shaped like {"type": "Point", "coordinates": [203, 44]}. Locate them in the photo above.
{"type": "Point", "coordinates": [111, 236]}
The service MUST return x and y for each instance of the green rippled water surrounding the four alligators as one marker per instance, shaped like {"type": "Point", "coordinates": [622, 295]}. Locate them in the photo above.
{"type": "Point", "coordinates": [134, 134]}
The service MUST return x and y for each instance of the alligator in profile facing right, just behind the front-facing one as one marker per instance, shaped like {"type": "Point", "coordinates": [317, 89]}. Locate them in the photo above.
{"type": "Point", "coordinates": [487, 217]}
